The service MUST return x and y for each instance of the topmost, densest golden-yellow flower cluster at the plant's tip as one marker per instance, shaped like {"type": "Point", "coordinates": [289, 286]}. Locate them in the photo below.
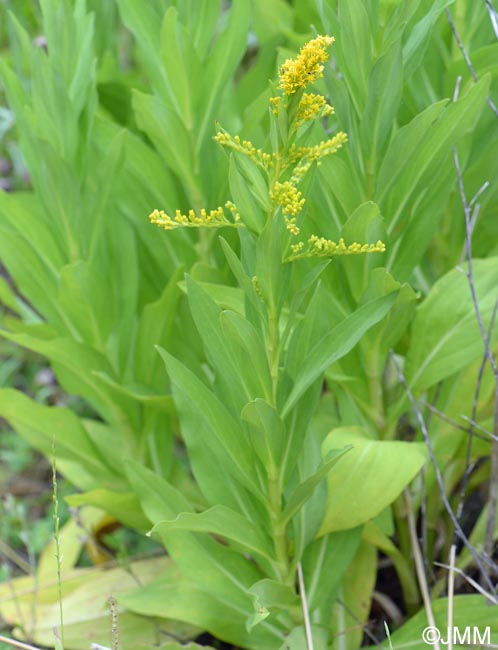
{"type": "Point", "coordinates": [306, 67]}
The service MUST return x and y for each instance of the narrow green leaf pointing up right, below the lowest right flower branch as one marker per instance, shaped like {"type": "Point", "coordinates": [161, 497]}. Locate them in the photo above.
{"type": "Point", "coordinates": [338, 343]}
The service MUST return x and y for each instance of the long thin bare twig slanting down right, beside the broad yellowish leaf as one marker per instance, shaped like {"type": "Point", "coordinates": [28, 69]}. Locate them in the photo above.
{"type": "Point", "coordinates": [479, 561]}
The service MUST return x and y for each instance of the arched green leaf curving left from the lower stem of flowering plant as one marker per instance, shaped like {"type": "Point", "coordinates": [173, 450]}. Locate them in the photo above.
{"type": "Point", "coordinates": [220, 520]}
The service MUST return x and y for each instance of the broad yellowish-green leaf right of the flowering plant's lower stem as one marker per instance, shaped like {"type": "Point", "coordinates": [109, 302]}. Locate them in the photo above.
{"type": "Point", "coordinates": [368, 478]}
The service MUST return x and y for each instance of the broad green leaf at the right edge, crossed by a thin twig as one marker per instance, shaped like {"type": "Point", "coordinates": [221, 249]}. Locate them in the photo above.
{"type": "Point", "coordinates": [445, 333]}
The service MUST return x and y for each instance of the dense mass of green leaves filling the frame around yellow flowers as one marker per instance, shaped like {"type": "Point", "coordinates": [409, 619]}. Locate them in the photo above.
{"type": "Point", "coordinates": [243, 400]}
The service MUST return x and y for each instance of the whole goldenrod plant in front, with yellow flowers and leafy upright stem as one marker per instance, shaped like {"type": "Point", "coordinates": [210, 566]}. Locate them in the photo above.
{"type": "Point", "coordinates": [251, 553]}
